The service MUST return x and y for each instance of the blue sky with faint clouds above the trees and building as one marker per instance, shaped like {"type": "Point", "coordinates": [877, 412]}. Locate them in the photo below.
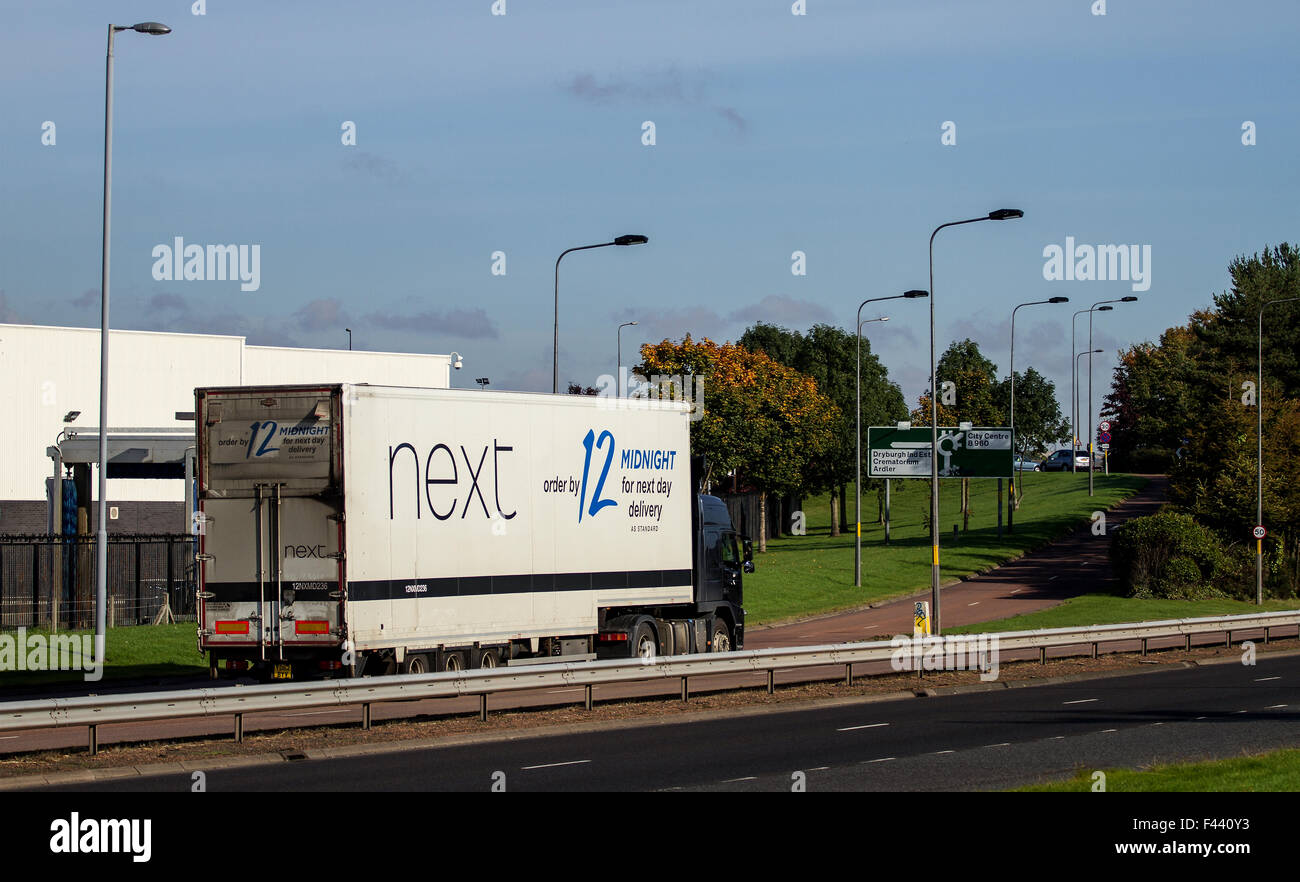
{"type": "Point", "coordinates": [523, 133]}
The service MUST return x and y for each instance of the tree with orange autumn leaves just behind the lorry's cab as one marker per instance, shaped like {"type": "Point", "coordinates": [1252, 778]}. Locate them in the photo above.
{"type": "Point", "coordinates": [766, 421]}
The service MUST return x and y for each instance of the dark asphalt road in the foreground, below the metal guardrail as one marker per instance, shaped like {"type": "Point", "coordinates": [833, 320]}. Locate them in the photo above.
{"type": "Point", "coordinates": [983, 741]}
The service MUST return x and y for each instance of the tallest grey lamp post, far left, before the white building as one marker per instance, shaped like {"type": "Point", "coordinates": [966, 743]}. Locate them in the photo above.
{"type": "Point", "coordinates": [154, 29]}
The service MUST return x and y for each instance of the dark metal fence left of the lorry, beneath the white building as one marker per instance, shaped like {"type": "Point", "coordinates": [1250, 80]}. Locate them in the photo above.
{"type": "Point", "coordinates": [50, 581]}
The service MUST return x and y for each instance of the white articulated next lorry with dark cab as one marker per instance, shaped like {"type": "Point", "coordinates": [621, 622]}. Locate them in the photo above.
{"type": "Point", "coordinates": [352, 530]}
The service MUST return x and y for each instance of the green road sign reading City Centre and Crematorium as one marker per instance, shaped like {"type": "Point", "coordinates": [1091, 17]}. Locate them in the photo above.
{"type": "Point", "coordinates": [978, 452]}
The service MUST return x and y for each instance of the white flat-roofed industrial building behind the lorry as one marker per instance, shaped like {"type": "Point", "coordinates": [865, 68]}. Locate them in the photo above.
{"type": "Point", "coordinates": [47, 374]}
